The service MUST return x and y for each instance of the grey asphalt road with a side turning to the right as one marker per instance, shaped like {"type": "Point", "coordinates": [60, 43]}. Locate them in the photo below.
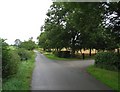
{"type": "Point", "coordinates": [63, 75]}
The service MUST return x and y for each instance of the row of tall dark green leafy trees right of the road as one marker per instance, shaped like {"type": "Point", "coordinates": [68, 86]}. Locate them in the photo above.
{"type": "Point", "coordinates": [79, 25]}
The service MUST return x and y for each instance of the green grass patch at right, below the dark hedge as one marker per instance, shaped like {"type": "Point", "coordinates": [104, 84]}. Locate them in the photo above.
{"type": "Point", "coordinates": [109, 78]}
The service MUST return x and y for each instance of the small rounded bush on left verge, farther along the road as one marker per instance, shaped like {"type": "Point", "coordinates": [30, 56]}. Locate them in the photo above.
{"type": "Point", "coordinates": [24, 54]}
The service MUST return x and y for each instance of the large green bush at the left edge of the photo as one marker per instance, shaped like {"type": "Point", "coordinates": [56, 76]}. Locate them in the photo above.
{"type": "Point", "coordinates": [10, 60]}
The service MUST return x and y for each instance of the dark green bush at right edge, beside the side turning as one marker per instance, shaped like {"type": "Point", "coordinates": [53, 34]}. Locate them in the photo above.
{"type": "Point", "coordinates": [107, 60]}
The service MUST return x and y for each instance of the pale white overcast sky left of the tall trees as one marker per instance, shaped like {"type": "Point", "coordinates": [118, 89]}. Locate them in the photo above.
{"type": "Point", "coordinates": [22, 19]}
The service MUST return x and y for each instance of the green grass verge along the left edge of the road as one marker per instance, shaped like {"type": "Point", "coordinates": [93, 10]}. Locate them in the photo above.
{"type": "Point", "coordinates": [21, 80]}
